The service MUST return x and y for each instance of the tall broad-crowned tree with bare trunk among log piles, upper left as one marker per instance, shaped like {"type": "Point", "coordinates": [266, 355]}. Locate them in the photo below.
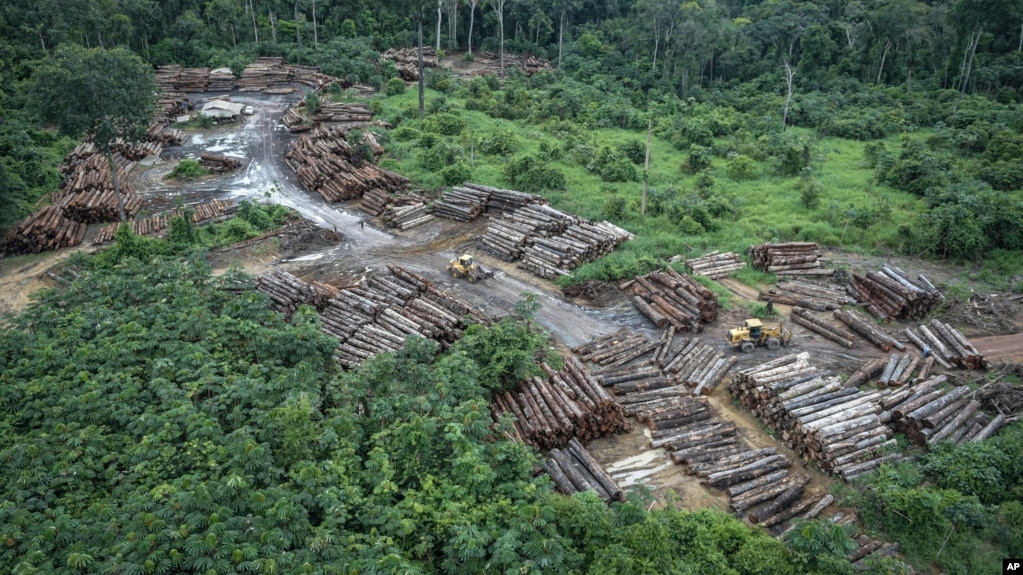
{"type": "Point", "coordinates": [109, 95]}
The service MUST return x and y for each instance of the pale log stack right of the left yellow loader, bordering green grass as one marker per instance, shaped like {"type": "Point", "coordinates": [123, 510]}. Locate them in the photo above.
{"type": "Point", "coordinates": [550, 243]}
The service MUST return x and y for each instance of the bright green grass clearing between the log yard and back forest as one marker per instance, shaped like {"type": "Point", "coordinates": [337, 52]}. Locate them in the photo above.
{"type": "Point", "coordinates": [768, 209]}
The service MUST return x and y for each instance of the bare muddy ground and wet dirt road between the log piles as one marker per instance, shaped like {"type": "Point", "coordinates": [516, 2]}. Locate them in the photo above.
{"type": "Point", "coordinates": [341, 245]}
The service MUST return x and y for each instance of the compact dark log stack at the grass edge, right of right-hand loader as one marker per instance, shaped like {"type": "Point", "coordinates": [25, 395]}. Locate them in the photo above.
{"type": "Point", "coordinates": [892, 294]}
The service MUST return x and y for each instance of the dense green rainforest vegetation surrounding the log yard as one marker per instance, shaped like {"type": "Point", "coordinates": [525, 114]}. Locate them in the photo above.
{"type": "Point", "coordinates": [158, 419]}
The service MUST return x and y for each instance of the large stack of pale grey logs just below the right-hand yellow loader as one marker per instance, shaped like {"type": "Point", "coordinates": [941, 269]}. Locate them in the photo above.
{"type": "Point", "coordinates": [839, 427]}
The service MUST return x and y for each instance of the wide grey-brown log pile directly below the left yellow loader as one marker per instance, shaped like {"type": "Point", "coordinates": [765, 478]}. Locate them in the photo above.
{"type": "Point", "coordinates": [377, 316]}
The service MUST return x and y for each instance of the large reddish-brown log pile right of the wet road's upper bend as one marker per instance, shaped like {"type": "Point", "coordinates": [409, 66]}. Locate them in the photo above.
{"type": "Point", "coordinates": [324, 162]}
